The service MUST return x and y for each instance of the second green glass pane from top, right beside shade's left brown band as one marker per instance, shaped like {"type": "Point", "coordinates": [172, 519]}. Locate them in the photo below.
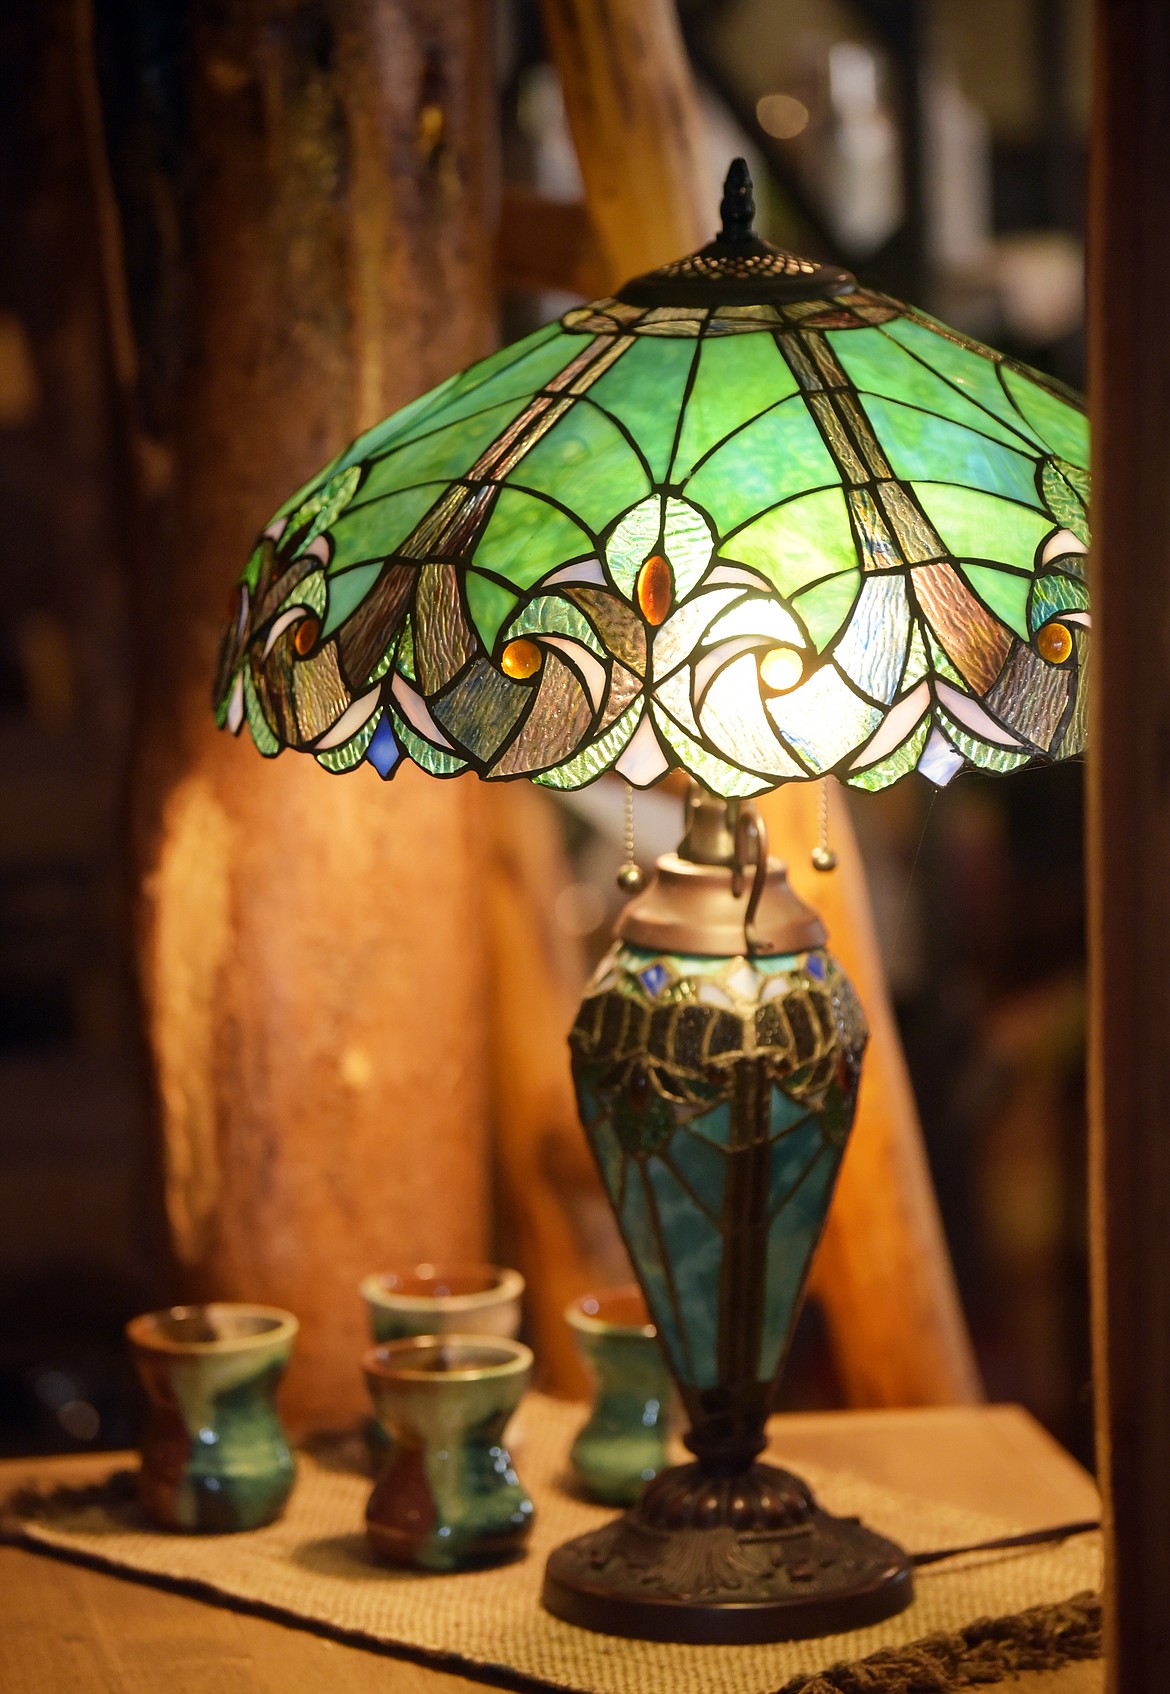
{"type": "Point", "coordinates": [587, 463]}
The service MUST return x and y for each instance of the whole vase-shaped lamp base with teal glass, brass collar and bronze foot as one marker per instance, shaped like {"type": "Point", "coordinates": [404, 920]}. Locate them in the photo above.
{"type": "Point", "coordinates": [717, 1058]}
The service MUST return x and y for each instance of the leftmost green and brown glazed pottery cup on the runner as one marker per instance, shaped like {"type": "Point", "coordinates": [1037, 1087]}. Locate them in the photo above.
{"type": "Point", "coordinates": [214, 1454]}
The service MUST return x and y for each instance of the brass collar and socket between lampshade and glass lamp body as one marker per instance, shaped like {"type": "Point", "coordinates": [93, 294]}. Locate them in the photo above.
{"type": "Point", "coordinates": [720, 894]}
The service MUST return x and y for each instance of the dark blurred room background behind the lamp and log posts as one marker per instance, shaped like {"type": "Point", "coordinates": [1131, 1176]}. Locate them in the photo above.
{"type": "Point", "coordinates": [939, 152]}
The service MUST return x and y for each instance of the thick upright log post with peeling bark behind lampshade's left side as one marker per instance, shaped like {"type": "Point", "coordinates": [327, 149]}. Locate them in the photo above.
{"type": "Point", "coordinates": [297, 241]}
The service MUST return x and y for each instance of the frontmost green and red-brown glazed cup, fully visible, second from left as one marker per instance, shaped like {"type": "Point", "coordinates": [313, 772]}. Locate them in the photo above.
{"type": "Point", "coordinates": [448, 1497]}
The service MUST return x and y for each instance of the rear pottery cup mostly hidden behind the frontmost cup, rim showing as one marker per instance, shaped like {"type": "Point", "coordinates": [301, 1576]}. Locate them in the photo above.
{"type": "Point", "coordinates": [443, 1300]}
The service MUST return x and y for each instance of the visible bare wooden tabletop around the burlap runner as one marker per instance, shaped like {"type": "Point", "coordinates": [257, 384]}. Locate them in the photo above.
{"type": "Point", "coordinates": [70, 1630]}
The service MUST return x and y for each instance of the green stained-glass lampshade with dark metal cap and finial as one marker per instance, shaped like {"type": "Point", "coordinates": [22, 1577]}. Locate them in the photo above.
{"type": "Point", "coordinates": [748, 519]}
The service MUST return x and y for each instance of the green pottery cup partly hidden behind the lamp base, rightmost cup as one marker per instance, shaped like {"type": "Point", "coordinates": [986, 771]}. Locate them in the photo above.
{"type": "Point", "coordinates": [624, 1444]}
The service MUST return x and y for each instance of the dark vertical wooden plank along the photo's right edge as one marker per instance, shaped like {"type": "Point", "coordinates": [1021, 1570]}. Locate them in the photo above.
{"type": "Point", "coordinates": [1130, 828]}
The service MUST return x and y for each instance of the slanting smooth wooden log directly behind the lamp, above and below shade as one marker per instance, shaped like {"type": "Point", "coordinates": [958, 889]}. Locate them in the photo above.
{"type": "Point", "coordinates": [883, 1273]}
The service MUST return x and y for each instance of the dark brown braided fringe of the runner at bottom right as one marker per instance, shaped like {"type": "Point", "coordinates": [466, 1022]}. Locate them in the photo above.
{"type": "Point", "coordinates": [981, 1654]}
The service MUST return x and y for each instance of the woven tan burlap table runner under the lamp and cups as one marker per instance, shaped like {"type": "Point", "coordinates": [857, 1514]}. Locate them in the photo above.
{"type": "Point", "coordinates": [314, 1568]}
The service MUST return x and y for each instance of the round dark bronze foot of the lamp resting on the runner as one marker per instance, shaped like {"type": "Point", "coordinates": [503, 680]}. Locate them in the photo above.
{"type": "Point", "coordinates": [732, 1559]}
